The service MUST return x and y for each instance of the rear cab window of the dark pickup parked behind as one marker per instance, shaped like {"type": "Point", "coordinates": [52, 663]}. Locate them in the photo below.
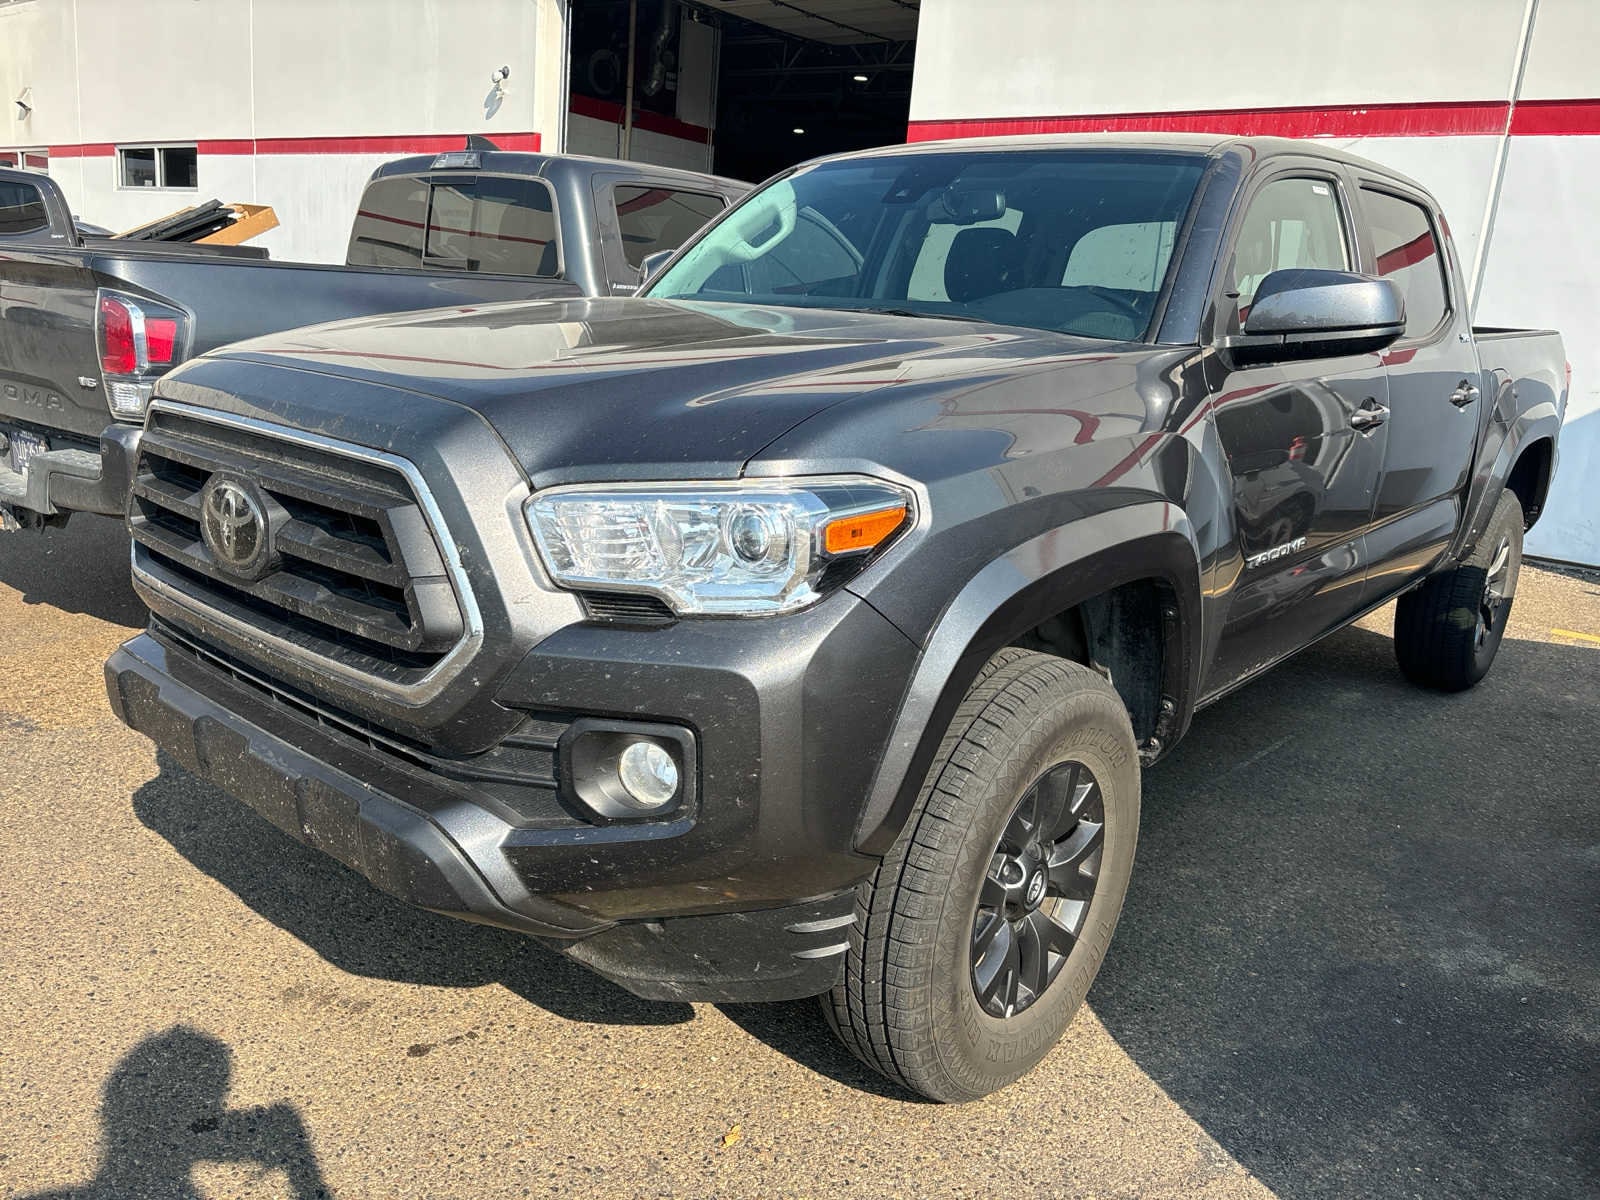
{"type": "Point", "coordinates": [495, 225]}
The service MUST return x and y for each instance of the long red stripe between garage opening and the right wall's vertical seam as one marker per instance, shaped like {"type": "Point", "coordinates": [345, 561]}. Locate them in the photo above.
{"type": "Point", "coordinates": [1372, 121]}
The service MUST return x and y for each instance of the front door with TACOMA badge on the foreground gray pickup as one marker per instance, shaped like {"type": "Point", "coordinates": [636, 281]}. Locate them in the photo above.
{"type": "Point", "coordinates": [1303, 476]}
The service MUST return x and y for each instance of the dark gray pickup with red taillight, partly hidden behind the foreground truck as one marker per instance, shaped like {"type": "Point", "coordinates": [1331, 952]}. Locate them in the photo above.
{"type": "Point", "coordinates": [87, 326]}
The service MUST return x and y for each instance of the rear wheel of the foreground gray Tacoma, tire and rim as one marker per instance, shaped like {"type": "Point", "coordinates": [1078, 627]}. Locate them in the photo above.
{"type": "Point", "coordinates": [1449, 631]}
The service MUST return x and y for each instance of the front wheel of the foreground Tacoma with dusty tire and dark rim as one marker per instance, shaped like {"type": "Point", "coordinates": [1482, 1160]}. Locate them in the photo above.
{"type": "Point", "coordinates": [1034, 735]}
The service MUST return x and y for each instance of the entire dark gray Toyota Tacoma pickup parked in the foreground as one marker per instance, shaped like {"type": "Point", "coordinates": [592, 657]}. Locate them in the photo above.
{"type": "Point", "coordinates": [804, 626]}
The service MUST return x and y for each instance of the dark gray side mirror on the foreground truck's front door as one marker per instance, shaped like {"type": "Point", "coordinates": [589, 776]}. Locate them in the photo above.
{"type": "Point", "coordinates": [1318, 314]}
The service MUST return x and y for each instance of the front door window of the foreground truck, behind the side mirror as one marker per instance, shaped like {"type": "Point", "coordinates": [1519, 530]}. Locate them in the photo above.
{"type": "Point", "coordinates": [1290, 223]}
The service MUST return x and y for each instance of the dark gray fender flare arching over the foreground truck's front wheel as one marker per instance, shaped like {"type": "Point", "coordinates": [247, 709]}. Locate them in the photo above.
{"type": "Point", "coordinates": [1047, 575]}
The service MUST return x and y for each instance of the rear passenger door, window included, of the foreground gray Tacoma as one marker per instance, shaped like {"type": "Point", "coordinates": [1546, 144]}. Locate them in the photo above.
{"type": "Point", "coordinates": [1436, 406]}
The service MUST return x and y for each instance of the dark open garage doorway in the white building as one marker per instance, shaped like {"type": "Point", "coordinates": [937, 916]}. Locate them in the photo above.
{"type": "Point", "coordinates": [738, 87]}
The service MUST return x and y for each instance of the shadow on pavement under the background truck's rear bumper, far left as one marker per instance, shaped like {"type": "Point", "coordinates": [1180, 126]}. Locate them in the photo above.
{"type": "Point", "coordinates": [81, 569]}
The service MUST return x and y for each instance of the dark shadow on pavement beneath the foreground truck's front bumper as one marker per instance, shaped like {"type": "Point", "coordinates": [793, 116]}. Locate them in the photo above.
{"type": "Point", "coordinates": [359, 929]}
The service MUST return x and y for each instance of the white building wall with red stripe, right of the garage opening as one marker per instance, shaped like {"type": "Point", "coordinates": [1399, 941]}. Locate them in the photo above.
{"type": "Point", "coordinates": [1428, 87]}
